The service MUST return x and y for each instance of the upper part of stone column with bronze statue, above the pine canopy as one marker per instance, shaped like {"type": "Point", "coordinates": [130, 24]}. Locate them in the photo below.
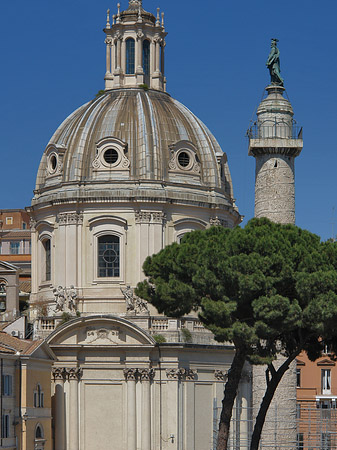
{"type": "Point", "coordinates": [275, 141]}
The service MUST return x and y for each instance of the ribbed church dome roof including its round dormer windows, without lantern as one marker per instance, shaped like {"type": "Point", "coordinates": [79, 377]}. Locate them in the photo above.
{"type": "Point", "coordinates": [148, 131]}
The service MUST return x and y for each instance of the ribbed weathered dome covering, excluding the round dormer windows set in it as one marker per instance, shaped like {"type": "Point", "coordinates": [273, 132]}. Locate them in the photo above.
{"type": "Point", "coordinates": [149, 123]}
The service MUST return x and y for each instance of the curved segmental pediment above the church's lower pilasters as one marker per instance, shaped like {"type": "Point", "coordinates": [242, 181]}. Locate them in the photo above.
{"type": "Point", "coordinates": [99, 331]}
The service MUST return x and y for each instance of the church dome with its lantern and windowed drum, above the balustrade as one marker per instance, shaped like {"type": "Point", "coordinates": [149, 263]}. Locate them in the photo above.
{"type": "Point", "coordinates": [124, 175]}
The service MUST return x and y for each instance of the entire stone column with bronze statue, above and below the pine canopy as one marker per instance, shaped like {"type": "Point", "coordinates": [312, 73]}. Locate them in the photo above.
{"type": "Point", "coordinates": [275, 141]}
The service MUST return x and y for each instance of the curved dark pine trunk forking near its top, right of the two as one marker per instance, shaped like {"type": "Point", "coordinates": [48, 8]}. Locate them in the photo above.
{"type": "Point", "coordinates": [276, 376]}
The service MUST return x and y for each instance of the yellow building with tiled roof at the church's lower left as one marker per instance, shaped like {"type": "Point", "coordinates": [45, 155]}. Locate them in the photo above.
{"type": "Point", "coordinates": [25, 398]}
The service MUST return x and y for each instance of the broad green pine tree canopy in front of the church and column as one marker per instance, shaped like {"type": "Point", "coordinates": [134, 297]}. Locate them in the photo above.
{"type": "Point", "coordinates": [264, 287]}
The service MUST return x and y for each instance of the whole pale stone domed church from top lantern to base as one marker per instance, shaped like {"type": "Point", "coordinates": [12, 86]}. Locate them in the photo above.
{"type": "Point", "coordinates": [123, 176]}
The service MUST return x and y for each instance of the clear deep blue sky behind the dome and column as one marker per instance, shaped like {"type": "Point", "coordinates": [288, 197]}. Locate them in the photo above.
{"type": "Point", "coordinates": [53, 60]}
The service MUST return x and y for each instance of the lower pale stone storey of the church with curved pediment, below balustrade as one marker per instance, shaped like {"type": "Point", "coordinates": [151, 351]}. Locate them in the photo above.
{"type": "Point", "coordinates": [112, 383]}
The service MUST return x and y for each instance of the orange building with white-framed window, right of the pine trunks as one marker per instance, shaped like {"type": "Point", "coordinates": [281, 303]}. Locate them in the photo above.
{"type": "Point", "coordinates": [316, 403]}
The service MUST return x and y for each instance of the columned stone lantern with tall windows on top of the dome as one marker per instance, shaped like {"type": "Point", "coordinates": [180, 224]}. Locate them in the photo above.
{"type": "Point", "coordinates": [135, 43]}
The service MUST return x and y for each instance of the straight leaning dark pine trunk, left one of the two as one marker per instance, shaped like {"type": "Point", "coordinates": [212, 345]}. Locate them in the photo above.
{"type": "Point", "coordinates": [231, 389]}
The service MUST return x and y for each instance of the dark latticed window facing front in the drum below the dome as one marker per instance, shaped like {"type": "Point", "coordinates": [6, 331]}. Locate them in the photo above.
{"type": "Point", "coordinates": [108, 256]}
